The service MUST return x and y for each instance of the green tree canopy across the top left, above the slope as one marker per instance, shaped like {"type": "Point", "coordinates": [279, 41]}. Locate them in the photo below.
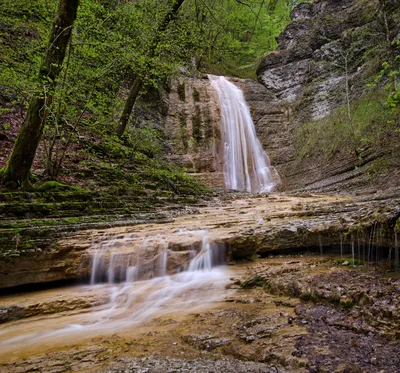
{"type": "Point", "coordinates": [110, 46]}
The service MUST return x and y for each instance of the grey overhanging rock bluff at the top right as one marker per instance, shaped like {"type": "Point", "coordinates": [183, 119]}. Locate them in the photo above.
{"type": "Point", "coordinates": [310, 61]}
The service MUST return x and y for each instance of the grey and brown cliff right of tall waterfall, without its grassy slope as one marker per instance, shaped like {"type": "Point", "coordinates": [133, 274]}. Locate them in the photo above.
{"type": "Point", "coordinates": [328, 44]}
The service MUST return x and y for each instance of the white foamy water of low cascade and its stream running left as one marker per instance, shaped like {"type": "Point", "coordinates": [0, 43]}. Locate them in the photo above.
{"type": "Point", "coordinates": [138, 286]}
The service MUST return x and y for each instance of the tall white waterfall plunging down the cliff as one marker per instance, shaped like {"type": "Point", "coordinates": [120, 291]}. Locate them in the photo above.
{"type": "Point", "coordinates": [246, 165]}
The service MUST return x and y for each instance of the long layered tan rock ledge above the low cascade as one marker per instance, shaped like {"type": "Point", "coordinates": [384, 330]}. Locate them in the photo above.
{"type": "Point", "coordinates": [247, 226]}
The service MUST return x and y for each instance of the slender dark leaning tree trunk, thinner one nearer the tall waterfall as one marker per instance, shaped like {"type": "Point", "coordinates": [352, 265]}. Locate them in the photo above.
{"type": "Point", "coordinates": [137, 84]}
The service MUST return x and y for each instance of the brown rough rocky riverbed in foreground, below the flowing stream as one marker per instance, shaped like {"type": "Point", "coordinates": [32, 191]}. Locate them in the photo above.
{"type": "Point", "coordinates": [302, 313]}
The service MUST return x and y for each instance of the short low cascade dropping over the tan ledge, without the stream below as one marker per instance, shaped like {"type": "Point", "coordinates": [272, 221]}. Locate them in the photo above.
{"type": "Point", "coordinates": [114, 261]}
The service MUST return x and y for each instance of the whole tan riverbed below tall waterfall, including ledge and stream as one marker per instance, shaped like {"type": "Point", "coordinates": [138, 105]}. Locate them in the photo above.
{"type": "Point", "coordinates": [311, 286]}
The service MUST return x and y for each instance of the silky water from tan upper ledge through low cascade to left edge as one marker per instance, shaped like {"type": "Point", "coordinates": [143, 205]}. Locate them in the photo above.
{"type": "Point", "coordinates": [141, 273]}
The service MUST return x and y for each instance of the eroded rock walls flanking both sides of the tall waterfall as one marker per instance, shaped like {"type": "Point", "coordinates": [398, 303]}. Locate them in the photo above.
{"type": "Point", "coordinates": [325, 58]}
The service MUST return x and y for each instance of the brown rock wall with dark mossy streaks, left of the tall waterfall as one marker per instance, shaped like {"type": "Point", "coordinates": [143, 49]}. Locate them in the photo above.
{"type": "Point", "coordinates": [192, 125]}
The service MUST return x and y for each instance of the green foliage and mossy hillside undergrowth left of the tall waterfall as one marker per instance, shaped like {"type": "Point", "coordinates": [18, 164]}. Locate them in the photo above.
{"type": "Point", "coordinates": [112, 45]}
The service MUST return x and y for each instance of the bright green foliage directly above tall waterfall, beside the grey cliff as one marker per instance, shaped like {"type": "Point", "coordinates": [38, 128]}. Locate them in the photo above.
{"type": "Point", "coordinates": [230, 37]}
